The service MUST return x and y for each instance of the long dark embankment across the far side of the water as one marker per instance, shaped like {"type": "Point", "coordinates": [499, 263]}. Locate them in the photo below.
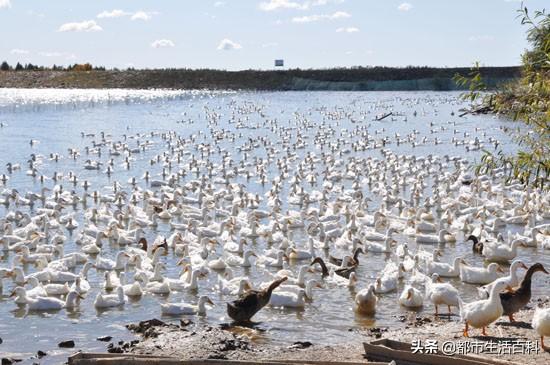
{"type": "Point", "coordinates": [338, 79]}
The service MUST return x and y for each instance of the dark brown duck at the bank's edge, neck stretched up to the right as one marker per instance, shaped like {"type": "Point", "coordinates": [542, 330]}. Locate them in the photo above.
{"type": "Point", "coordinates": [249, 303]}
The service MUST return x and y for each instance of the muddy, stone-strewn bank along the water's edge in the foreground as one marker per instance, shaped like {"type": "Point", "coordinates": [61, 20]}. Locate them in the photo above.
{"type": "Point", "coordinates": [190, 341]}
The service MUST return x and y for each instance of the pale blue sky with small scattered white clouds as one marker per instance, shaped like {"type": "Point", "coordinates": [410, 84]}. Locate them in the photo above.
{"type": "Point", "coordinates": [243, 34]}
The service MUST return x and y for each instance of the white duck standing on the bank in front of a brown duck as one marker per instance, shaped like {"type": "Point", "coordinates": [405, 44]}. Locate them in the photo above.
{"type": "Point", "coordinates": [481, 313]}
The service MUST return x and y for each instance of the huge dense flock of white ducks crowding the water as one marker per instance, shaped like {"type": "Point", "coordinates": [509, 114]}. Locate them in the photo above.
{"type": "Point", "coordinates": [310, 200]}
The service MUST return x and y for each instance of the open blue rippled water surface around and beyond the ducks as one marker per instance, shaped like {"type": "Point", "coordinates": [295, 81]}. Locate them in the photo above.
{"type": "Point", "coordinates": [57, 118]}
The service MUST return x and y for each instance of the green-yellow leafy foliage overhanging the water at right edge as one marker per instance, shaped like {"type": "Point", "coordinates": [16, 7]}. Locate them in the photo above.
{"type": "Point", "coordinates": [528, 101]}
